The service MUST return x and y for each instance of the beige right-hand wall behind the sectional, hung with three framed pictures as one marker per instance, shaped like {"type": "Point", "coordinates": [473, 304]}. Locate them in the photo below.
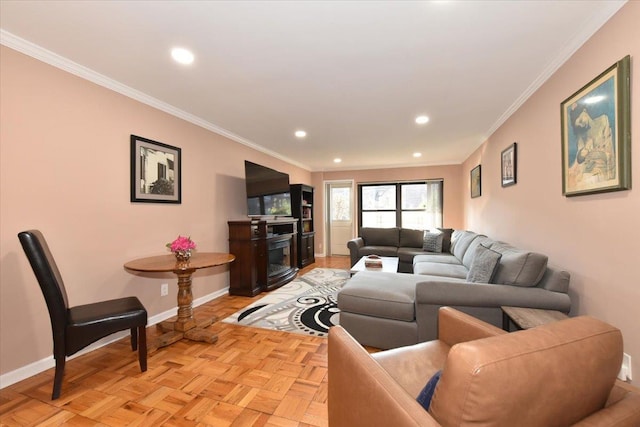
{"type": "Point", "coordinates": [595, 237]}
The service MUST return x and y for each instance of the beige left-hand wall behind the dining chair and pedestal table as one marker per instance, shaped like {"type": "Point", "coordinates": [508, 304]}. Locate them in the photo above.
{"type": "Point", "coordinates": [64, 169]}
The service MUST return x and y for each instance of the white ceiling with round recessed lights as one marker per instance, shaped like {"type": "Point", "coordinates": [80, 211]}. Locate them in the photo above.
{"type": "Point", "coordinates": [353, 74]}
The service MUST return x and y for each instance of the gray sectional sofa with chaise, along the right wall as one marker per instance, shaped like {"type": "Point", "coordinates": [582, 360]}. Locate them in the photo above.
{"type": "Point", "coordinates": [387, 310]}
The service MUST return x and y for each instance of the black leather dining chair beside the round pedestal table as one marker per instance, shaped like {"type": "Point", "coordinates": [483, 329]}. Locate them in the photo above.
{"type": "Point", "coordinates": [74, 328]}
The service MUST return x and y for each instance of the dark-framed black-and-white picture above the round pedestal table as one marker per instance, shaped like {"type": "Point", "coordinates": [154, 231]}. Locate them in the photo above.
{"type": "Point", "coordinates": [156, 171]}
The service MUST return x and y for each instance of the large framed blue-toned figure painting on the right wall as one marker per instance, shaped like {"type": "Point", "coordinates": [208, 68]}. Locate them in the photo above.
{"type": "Point", "coordinates": [596, 134]}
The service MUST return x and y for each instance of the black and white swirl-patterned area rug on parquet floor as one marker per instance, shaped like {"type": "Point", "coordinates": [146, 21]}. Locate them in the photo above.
{"type": "Point", "coordinates": [306, 305]}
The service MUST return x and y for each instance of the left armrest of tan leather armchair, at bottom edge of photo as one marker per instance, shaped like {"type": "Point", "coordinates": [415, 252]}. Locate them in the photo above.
{"type": "Point", "coordinates": [362, 393]}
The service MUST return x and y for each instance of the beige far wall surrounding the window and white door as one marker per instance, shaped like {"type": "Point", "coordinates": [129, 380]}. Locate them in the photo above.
{"type": "Point", "coordinates": [451, 199]}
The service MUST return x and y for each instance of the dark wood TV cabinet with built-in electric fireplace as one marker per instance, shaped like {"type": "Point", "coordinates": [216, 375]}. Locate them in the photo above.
{"type": "Point", "coordinates": [266, 255]}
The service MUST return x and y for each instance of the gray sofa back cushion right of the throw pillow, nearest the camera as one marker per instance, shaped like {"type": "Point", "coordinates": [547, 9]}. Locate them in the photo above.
{"type": "Point", "coordinates": [518, 267]}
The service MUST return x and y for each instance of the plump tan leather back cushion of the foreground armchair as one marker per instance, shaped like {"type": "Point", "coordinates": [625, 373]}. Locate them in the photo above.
{"type": "Point", "coordinates": [556, 374]}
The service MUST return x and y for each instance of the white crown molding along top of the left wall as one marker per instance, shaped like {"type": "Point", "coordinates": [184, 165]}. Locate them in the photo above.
{"type": "Point", "coordinates": [38, 52]}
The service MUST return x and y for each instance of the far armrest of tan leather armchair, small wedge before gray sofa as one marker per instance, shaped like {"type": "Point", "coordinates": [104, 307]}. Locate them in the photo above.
{"type": "Point", "coordinates": [455, 327]}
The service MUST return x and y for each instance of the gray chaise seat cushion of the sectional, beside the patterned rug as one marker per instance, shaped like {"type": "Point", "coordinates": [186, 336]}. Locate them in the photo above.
{"type": "Point", "coordinates": [380, 294]}
